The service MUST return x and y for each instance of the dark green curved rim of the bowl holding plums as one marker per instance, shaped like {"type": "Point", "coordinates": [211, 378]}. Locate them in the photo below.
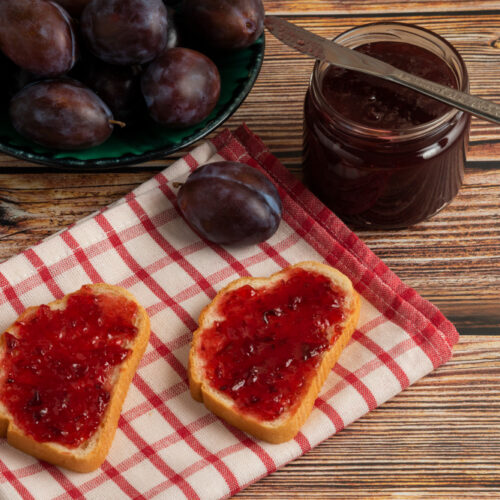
{"type": "Point", "coordinates": [133, 159]}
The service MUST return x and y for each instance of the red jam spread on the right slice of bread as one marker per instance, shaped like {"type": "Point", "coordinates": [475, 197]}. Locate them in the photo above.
{"type": "Point", "coordinates": [269, 343]}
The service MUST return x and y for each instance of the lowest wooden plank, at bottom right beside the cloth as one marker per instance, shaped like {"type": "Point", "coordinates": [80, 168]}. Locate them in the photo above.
{"type": "Point", "coordinates": [439, 438]}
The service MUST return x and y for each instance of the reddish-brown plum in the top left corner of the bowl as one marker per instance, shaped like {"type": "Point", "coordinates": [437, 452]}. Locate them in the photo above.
{"type": "Point", "coordinates": [38, 36]}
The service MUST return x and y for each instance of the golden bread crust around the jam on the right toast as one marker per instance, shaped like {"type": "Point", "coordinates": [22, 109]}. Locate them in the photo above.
{"type": "Point", "coordinates": [286, 426]}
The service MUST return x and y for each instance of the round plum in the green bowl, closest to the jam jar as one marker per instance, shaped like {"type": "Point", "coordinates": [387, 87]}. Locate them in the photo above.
{"type": "Point", "coordinates": [181, 87]}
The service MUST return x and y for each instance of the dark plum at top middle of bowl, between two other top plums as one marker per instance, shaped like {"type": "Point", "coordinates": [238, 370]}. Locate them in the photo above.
{"type": "Point", "coordinates": [125, 32]}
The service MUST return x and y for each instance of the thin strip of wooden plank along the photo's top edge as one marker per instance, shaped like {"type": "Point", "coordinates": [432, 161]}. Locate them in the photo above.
{"type": "Point", "coordinates": [353, 7]}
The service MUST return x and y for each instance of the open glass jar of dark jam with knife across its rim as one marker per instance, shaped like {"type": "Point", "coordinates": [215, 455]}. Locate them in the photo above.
{"type": "Point", "coordinates": [385, 177]}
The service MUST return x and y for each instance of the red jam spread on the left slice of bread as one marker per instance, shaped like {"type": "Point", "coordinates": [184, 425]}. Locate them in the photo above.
{"type": "Point", "coordinates": [57, 368]}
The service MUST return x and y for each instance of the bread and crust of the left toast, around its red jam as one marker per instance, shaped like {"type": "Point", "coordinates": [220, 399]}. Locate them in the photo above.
{"type": "Point", "coordinates": [90, 454]}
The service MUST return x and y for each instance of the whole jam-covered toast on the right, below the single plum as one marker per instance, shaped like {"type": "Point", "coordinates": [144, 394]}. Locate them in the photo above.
{"type": "Point", "coordinates": [265, 346]}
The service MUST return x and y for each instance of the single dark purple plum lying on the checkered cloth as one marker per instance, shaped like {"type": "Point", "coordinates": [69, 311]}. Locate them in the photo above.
{"type": "Point", "coordinates": [230, 203]}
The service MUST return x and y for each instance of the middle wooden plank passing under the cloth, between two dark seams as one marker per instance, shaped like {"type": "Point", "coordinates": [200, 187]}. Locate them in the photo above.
{"type": "Point", "coordinates": [452, 259]}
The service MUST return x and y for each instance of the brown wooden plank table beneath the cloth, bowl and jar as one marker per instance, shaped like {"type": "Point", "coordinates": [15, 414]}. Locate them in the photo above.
{"type": "Point", "coordinates": [441, 437]}
